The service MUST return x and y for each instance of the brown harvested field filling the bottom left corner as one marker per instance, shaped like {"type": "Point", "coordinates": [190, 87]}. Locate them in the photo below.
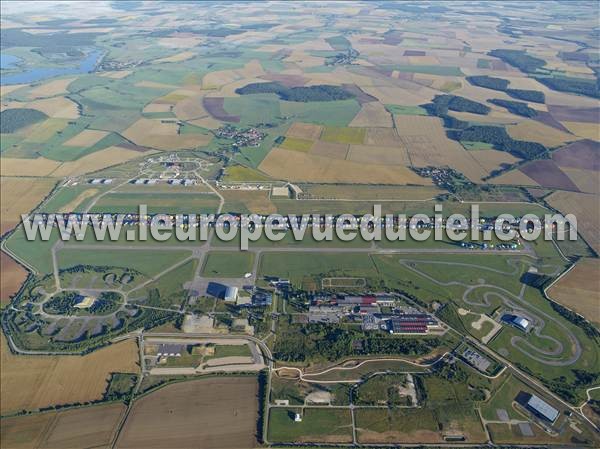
{"type": "Point", "coordinates": [78, 428]}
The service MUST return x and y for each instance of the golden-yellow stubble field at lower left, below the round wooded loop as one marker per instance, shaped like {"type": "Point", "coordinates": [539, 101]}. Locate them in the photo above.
{"type": "Point", "coordinates": [31, 382]}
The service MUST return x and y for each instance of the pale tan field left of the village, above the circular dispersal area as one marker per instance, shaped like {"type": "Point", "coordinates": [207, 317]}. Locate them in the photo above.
{"type": "Point", "coordinates": [163, 135]}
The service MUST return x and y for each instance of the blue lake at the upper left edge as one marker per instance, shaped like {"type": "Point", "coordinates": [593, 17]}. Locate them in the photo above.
{"type": "Point", "coordinates": [86, 65]}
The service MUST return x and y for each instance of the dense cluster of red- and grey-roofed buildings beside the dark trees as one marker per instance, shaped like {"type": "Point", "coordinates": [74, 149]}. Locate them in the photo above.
{"type": "Point", "coordinates": [400, 320]}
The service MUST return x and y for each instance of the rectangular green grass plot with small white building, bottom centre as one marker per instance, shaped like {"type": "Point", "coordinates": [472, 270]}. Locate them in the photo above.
{"type": "Point", "coordinates": [318, 425]}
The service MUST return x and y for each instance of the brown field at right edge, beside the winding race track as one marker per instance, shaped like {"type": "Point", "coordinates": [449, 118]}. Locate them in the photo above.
{"type": "Point", "coordinates": [579, 289]}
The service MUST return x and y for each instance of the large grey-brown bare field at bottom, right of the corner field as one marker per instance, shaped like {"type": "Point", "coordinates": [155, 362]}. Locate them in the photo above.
{"type": "Point", "coordinates": [209, 413]}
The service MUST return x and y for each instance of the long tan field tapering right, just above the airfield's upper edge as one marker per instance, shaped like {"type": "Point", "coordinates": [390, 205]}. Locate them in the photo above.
{"type": "Point", "coordinates": [298, 166]}
